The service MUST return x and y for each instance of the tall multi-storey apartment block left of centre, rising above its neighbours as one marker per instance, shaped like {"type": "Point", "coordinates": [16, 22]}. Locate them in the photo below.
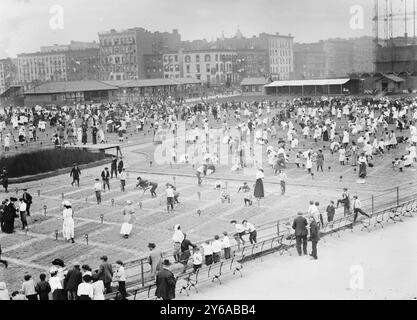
{"type": "Point", "coordinates": [122, 53]}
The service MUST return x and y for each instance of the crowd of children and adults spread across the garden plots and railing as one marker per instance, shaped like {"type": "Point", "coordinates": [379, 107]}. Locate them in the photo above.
{"type": "Point", "coordinates": [301, 131]}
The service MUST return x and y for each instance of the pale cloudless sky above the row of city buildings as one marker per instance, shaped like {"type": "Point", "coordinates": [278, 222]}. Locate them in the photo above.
{"type": "Point", "coordinates": [25, 25]}
